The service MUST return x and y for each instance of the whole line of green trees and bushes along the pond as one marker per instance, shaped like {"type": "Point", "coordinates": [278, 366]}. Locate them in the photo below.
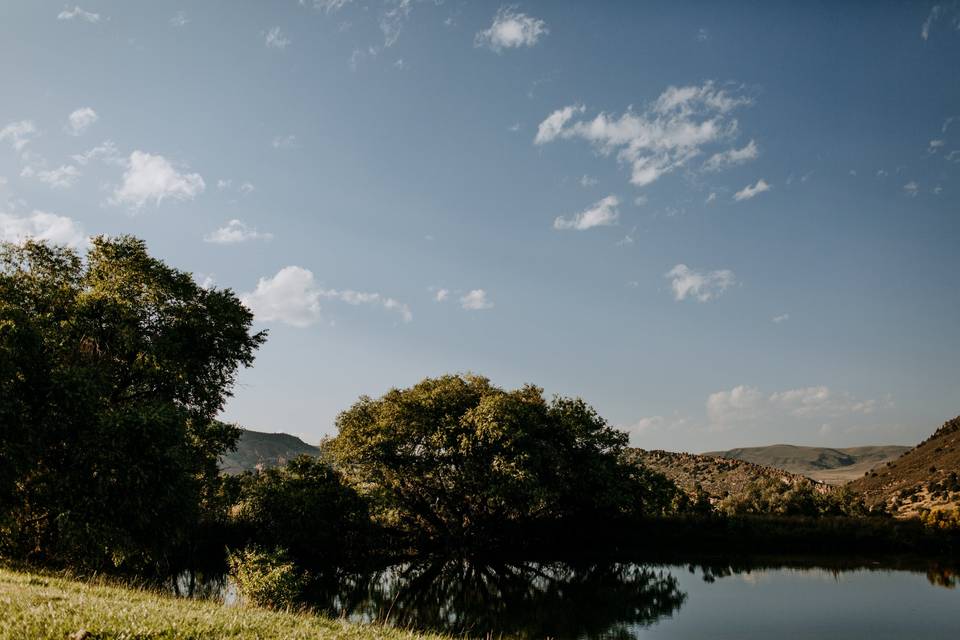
{"type": "Point", "coordinates": [114, 365]}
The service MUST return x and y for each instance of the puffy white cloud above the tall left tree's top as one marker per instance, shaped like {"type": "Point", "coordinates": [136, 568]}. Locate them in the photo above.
{"type": "Point", "coordinates": [152, 177]}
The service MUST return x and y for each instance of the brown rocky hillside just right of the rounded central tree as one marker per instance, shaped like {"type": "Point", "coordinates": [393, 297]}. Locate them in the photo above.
{"type": "Point", "coordinates": [717, 476]}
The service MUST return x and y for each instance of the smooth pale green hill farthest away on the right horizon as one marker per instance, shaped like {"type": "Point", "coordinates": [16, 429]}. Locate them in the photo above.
{"type": "Point", "coordinates": [833, 466]}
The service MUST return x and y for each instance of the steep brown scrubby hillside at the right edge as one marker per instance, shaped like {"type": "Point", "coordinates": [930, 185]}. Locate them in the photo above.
{"type": "Point", "coordinates": [925, 477]}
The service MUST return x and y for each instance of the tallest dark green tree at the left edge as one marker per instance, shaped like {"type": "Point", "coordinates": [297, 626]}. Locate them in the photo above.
{"type": "Point", "coordinates": [112, 367]}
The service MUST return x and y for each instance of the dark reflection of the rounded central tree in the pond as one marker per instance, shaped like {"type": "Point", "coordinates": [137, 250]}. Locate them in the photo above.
{"type": "Point", "coordinates": [527, 600]}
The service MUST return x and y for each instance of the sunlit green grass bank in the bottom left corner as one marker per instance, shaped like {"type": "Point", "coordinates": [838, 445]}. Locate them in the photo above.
{"type": "Point", "coordinates": [46, 607]}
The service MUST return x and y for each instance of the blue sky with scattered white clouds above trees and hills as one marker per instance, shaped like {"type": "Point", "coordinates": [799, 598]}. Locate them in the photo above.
{"type": "Point", "coordinates": [721, 224]}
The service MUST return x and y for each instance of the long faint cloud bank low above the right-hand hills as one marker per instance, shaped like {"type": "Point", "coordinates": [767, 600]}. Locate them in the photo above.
{"type": "Point", "coordinates": [744, 405]}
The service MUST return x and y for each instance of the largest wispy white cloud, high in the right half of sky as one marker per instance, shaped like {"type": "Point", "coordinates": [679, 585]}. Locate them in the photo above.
{"type": "Point", "coordinates": [675, 128]}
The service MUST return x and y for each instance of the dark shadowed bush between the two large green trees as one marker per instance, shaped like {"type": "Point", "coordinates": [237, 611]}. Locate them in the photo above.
{"type": "Point", "coordinates": [306, 509]}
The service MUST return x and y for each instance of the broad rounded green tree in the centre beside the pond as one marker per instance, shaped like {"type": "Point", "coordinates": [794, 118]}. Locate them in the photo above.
{"type": "Point", "coordinates": [460, 462]}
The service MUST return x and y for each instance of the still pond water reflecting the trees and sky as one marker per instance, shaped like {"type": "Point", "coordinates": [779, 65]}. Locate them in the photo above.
{"type": "Point", "coordinates": [617, 600]}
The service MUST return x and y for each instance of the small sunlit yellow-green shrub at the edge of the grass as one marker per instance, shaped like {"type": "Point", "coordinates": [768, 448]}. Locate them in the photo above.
{"type": "Point", "coordinates": [267, 578]}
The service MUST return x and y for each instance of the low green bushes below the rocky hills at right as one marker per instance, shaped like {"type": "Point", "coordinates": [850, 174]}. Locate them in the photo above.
{"type": "Point", "coordinates": [770, 496]}
